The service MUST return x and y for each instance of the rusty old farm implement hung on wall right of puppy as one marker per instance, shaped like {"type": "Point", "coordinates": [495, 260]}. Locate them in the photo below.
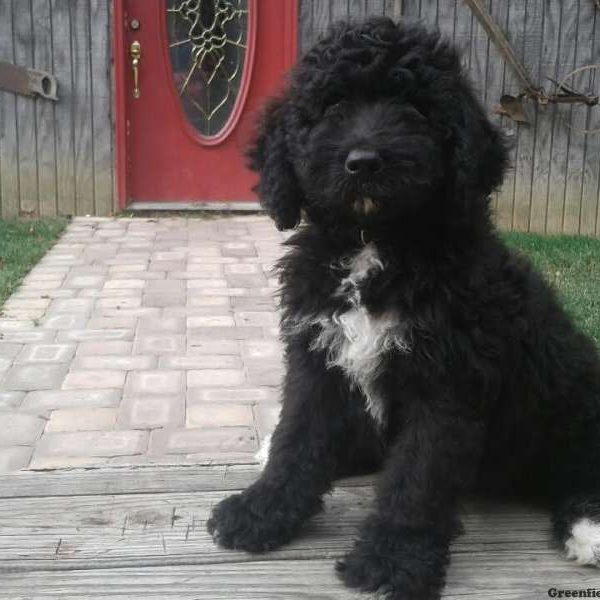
{"type": "Point", "coordinates": [512, 106]}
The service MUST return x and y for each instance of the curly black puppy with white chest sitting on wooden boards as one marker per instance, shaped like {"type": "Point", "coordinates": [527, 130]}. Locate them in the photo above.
{"type": "Point", "coordinates": [412, 333]}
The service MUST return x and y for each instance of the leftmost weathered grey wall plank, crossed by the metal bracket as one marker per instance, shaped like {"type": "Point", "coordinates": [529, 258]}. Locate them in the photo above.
{"type": "Point", "coordinates": [9, 150]}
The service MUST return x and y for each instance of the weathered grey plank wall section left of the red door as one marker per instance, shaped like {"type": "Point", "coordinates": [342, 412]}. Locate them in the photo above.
{"type": "Point", "coordinates": [57, 158]}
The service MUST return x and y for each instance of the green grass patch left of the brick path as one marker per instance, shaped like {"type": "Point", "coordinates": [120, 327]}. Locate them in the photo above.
{"type": "Point", "coordinates": [22, 244]}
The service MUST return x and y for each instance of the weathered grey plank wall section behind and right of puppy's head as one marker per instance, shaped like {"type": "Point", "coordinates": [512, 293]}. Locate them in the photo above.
{"type": "Point", "coordinates": [553, 185]}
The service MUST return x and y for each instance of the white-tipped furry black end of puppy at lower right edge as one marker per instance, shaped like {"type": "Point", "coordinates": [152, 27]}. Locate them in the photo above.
{"type": "Point", "coordinates": [577, 528]}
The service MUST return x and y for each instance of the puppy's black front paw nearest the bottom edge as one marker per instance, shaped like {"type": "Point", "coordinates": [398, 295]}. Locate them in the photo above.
{"type": "Point", "coordinates": [394, 567]}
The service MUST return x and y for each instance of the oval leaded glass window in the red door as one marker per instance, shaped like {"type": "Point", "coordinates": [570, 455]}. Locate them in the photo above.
{"type": "Point", "coordinates": [208, 44]}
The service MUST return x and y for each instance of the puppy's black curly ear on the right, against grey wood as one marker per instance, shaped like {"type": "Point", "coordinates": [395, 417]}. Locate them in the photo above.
{"type": "Point", "coordinates": [480, 153]}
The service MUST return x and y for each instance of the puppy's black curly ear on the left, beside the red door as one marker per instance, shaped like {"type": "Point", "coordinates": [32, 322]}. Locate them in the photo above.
{"type": "Point", "coordinates": [270, 156]}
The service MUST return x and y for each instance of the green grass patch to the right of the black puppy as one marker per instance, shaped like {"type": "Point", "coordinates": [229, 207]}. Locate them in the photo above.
{"type": "Point", "coordinates": [572, 265]}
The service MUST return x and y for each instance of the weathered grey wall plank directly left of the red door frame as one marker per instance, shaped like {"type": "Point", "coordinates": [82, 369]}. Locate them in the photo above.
{"type": "Point", "coordinates": [101, 107]}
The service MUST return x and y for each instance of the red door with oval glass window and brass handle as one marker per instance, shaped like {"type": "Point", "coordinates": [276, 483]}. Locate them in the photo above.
{"type": "Point", "coordinates": [203, 68]}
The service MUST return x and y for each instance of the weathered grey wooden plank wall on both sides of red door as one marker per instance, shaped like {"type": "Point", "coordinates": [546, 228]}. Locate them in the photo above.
{"type": "Point", "coordinates": [58, 158]}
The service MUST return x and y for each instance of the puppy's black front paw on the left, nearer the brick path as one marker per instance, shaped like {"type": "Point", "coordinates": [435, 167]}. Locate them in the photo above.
{"type": "Point", "coordinates": [256, 520]}
